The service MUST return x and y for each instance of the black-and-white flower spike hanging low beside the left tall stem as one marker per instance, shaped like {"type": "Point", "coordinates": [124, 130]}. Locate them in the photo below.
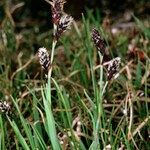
{"type": "Point", "coordinates": [44, 58]}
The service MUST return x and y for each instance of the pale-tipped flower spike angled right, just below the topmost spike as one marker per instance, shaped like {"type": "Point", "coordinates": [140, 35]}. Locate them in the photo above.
{"type": "Point", "coordinates": [64, 24]}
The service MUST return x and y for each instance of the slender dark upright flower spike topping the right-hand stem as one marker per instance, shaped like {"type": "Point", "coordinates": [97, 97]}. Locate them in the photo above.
{"type": "Point", "coordinates": [98, 41]}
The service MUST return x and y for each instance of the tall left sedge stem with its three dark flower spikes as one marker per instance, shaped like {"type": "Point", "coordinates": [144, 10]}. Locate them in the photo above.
{"type": "Point", "coordinates": [61, 22]}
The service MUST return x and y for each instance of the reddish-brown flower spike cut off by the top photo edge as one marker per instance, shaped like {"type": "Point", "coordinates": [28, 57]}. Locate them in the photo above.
{"type": "Point", "coordinates": [57, 10]}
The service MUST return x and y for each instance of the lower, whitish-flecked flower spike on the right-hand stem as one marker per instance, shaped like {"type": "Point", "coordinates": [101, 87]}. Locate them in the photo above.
{"type": "Point", "coordinates": [113, 68]}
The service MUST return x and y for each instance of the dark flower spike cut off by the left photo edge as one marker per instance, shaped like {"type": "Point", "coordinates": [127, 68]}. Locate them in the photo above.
{"type": "Point", "coordinates": [5, 107]}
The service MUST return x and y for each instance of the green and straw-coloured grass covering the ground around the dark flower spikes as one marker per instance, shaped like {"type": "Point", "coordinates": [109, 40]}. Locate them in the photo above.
{"type": "Point", "coordinates": [79, 112]}
